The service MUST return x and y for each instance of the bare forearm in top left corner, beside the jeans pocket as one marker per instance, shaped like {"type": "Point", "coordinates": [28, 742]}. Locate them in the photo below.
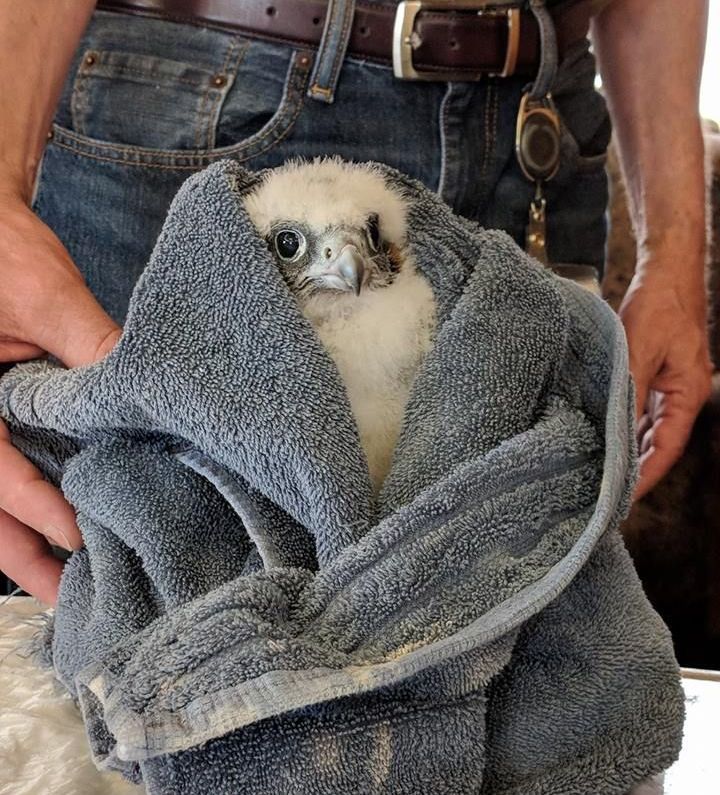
{"type": "Point", "coordinates": [37, 42]}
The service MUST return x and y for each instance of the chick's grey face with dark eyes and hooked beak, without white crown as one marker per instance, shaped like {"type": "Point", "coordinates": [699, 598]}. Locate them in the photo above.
{"type": "Point", "coordinates": [337, 258]}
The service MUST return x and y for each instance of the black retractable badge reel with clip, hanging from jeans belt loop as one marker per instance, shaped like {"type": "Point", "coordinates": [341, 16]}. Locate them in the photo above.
{"type": "Point", "coordinates": [537, 133]}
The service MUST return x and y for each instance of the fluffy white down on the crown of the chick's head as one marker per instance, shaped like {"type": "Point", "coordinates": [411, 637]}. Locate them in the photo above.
{"type": "Point", "coordinates": [326, 191]}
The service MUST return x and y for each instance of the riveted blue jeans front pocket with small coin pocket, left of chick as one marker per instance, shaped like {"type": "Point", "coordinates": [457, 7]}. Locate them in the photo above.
{"type": "Point", "coordinates": [173, 123]}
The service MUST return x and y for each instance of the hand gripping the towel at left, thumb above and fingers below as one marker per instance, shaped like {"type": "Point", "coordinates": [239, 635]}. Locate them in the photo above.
{"type": "Point", "coordinates": [45, 306]}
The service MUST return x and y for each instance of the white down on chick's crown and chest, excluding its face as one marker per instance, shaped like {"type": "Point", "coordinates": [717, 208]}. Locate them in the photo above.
{"type": "Point", "coordinates": [379, 338]}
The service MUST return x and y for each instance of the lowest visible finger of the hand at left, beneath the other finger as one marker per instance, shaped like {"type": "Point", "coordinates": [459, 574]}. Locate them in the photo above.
{"type": "Point", "coordinates": [27, 559]}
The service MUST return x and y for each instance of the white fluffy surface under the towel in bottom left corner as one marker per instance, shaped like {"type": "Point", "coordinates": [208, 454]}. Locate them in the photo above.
{"type": "Point", "coordinates": [43, 748]}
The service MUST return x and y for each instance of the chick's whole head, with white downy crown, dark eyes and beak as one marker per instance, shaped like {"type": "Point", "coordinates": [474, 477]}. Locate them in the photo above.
{"type": "Point", "coordinates": [336, 229]}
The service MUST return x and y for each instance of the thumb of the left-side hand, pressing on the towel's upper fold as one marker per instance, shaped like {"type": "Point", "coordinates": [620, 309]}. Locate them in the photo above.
{"type": "Point", "coordinates": [80, 332]}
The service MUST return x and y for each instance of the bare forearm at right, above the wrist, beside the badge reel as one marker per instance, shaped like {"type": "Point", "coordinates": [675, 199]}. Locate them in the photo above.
{"type": "Point", "coordinates": [650, 57]}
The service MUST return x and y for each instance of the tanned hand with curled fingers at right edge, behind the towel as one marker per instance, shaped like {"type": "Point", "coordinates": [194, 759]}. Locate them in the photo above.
{"type": "Point", "coordinates": [670, 362]}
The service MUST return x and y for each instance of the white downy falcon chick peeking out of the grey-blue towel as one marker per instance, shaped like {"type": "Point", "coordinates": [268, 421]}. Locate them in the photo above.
{"type": "Point", "coordinates": [337, 232]}
